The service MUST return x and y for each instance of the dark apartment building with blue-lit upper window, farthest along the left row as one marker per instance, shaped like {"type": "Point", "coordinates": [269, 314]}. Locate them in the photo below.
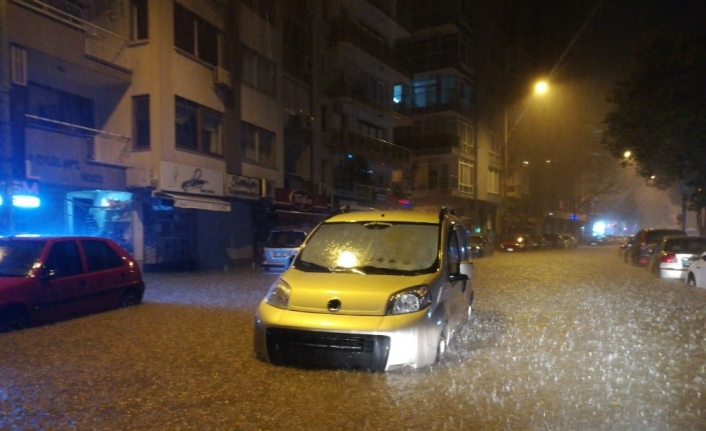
{"type": "Point", "coordinates": [441, 99]}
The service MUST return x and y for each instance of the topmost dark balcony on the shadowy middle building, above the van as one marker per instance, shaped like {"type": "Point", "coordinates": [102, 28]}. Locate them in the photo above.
{"type": "Point", "coordinates": [343, 30]}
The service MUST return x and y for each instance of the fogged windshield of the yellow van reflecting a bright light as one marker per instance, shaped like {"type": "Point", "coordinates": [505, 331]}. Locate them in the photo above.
{"type": "Point", "coordinates": [373, 247]}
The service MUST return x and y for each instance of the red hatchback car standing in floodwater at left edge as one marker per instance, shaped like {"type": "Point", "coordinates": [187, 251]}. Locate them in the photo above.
{"type": "Point", "coordinates": [49, 279]}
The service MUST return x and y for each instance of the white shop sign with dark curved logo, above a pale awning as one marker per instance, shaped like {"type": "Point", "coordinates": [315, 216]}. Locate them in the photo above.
{"type": "Point", "coordinates": [190, 179]}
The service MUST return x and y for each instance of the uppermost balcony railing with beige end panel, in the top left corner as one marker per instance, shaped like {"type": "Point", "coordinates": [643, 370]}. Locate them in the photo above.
{"type": "Point", "coordinates": [99, 43]}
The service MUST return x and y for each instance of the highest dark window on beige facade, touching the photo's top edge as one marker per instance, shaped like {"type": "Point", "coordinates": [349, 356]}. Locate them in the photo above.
{"type": "Point", "coordinates": [195, 36]}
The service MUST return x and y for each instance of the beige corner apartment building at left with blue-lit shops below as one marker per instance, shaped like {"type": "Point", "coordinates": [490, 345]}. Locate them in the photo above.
{"type": "Point", "coordinates": [117, 125]}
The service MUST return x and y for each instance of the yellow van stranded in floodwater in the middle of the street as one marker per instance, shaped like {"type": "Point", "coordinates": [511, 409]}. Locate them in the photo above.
{"type": "Point", "coordinates": [371, 290]}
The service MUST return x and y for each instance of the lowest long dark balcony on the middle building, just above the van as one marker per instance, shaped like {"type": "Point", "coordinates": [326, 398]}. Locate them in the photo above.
{"type": "Point", "coordinates": [343, 141]}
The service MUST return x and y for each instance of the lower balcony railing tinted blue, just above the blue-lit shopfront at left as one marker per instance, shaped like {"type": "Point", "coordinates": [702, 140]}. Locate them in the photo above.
{"type": "Point", "coordinates": [102, 147]}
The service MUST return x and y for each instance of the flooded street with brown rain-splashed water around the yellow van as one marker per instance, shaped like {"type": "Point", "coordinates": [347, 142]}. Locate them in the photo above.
{"type": "Point", "coordinates": [559, 340]}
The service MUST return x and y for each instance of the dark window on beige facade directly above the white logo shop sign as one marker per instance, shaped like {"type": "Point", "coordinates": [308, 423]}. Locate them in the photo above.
{"type": "Point", "coordinates": [197, 128]}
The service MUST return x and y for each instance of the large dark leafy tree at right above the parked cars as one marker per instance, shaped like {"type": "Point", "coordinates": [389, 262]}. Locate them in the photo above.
{"type": "Point", "coordinates": [659, 114]}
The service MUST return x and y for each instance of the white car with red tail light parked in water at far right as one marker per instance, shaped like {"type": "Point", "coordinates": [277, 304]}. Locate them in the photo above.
{"type": "Point", "coordinates": [672, 257]}
